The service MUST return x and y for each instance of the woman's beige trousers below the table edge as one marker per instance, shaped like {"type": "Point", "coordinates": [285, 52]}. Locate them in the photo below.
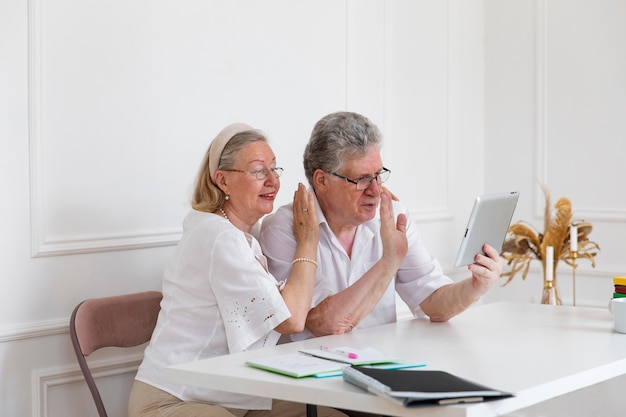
{"type": "Point", "coordinates": [148, 401]}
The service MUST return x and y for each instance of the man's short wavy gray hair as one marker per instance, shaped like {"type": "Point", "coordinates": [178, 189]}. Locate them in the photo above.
{"type": "Point", "coordinates": [337, 137]}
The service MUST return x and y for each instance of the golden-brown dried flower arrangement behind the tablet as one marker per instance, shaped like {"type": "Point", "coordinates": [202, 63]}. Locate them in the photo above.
{"type": "Point", "coordinates": [524, 243]}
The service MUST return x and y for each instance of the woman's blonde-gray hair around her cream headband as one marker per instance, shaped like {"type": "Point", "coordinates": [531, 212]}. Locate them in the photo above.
{"type": "Point", "coordinates": [207, 196]}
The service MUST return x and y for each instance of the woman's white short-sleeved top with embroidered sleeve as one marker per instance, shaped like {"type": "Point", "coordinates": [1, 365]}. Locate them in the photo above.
{"type": "Point", "coordinates": [218, 298]}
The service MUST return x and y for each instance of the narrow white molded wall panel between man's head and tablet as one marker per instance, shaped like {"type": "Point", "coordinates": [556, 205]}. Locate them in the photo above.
{"type": "Point", "coordinates": [417, 106]}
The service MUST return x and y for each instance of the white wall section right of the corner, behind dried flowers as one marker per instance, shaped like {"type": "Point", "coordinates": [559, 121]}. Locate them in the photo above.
{"type": "Point", "coordinates": [555, 99]}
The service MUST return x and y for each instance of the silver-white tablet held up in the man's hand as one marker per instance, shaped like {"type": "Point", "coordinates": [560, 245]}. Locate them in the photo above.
{"type": "Point", "coordinates": [488, 223]}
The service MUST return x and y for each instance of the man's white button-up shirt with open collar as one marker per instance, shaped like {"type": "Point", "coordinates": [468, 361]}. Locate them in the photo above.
{"type": "Point", "coordinates": [419, 275]}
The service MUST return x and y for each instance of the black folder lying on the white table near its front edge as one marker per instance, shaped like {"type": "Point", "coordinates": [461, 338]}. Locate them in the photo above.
{"type": "Point", "coordinates": [420, 387]}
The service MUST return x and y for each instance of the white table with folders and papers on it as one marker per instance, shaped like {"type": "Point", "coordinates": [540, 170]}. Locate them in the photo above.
{"type": "Point", "coordinates": [564, 361]}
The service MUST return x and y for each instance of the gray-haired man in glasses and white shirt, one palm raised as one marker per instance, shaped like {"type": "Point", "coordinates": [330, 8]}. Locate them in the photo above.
{"type": "Point", "coordinates": [368, 247]}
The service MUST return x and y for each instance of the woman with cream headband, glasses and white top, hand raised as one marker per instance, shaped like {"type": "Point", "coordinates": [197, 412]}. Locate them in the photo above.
{"type": "Point", "coordinates": [218, 296]}
